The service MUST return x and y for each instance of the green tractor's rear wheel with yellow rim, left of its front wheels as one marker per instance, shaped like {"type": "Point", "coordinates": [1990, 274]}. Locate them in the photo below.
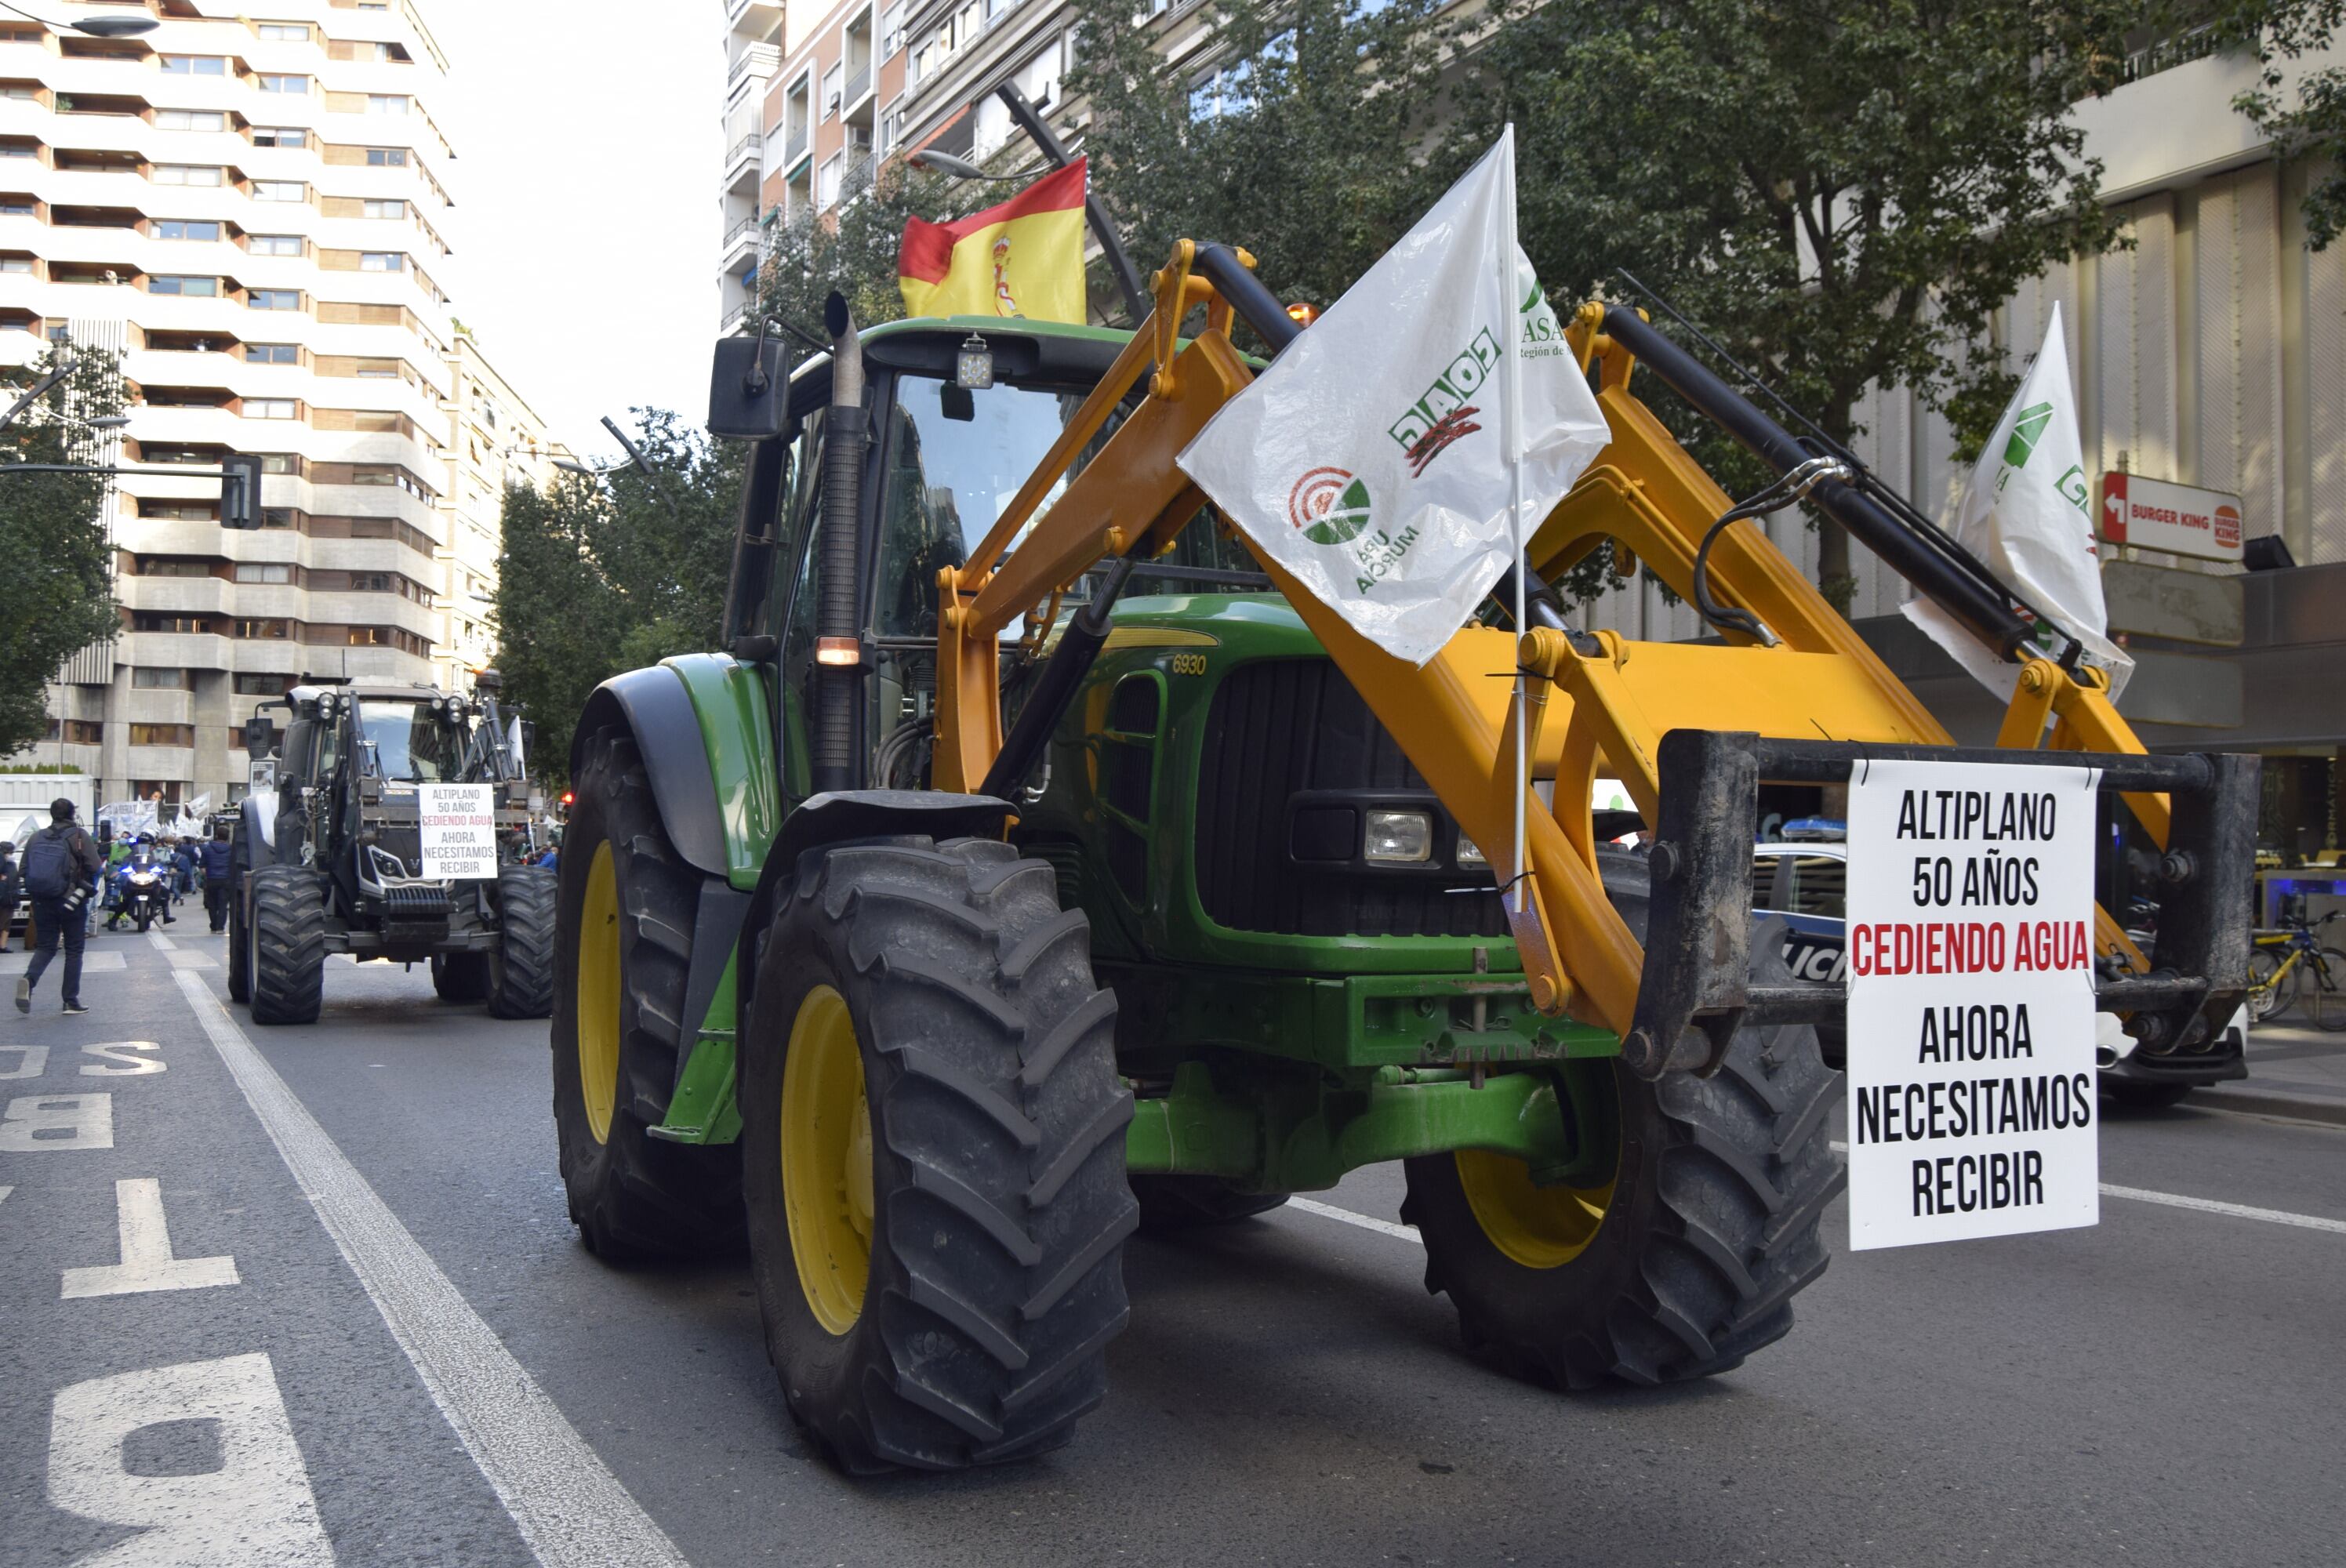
{"type": "Point", "coordinates": [623, 947]}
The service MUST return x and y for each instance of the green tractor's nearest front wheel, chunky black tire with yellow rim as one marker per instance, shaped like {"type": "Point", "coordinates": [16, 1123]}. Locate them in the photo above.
{"type": "Point", "coordinates": [933, 1156]}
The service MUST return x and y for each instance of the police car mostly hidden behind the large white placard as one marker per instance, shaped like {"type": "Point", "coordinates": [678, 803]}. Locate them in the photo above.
{"type": "Point", "coordinates": [1805, 879]}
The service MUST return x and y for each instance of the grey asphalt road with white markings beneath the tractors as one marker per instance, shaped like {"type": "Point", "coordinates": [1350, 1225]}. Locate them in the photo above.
{"type": "Point", "coordinates": [2167, 1388]}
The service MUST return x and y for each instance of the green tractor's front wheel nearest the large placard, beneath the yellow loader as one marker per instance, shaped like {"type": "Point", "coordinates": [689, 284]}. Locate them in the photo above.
{"type": "Point", "coordinates": [1688, 1257]}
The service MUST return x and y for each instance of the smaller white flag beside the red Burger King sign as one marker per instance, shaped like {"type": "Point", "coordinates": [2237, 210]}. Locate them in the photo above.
{"type": "Point", "coordinates": [2028, 513]}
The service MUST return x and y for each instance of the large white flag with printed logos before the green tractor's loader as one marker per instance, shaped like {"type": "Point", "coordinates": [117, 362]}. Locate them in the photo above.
{"type": "Point", "coordinates": [1369, 459]}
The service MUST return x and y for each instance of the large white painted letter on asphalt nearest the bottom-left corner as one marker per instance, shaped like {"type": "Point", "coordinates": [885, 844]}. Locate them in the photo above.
{"type": "Point", "coordinates": [255, 1508]}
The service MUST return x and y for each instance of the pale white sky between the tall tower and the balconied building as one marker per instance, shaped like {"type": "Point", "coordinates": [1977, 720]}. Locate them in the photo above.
{"type": "Point", "coordinates": [588, 201]}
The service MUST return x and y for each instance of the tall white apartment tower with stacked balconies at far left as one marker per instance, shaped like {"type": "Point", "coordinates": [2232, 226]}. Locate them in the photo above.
{"type": "Point", "coordinates": [255, 212]}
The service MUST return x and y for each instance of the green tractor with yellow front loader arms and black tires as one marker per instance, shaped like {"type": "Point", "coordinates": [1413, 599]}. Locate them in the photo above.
{"type": "Point", "coordinates": [940, 945]}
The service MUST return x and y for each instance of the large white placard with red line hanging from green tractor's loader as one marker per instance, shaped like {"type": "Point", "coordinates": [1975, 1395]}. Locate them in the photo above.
{"type": "Point", "coordinates": [1969, 1001]}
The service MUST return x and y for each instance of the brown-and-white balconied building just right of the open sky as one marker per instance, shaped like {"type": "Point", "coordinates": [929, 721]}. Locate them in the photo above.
{"type": "Point", "coordinates": [813, 102]}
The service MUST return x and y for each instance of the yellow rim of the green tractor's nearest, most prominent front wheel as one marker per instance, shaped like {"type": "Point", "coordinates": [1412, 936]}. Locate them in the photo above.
{"type": "Point", "coordinates": [827, 1161]}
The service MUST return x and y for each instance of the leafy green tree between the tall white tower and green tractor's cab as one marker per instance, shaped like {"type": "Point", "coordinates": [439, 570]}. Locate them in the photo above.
{"type": "Point", "coordinates": [609, 576]}
